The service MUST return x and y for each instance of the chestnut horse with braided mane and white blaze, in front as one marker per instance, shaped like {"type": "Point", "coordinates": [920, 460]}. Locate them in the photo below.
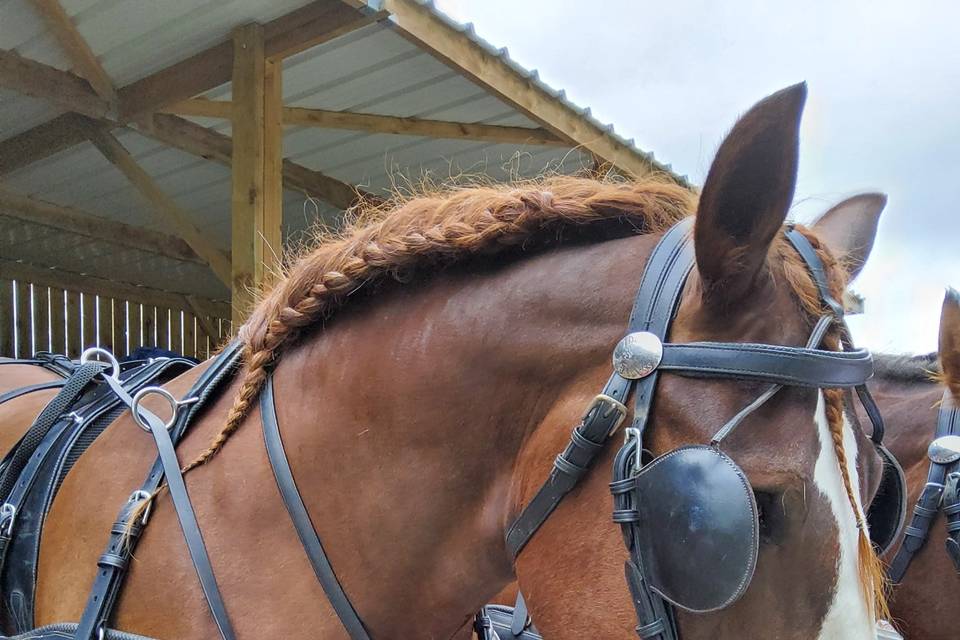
{"type": "Point", "coordinates": [428, 367]}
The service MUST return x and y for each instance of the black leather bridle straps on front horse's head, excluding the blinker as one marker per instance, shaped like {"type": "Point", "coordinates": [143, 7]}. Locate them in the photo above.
{"type": "Point", "coordinates": [655, 306]}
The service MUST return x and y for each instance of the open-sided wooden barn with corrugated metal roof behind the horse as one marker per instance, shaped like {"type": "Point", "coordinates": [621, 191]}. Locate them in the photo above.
{"type": "Point", "coordinates": [155, 155]}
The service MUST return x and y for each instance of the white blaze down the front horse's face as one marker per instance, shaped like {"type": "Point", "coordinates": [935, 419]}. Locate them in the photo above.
{"type": "Point", "coordinates": [848, 617]}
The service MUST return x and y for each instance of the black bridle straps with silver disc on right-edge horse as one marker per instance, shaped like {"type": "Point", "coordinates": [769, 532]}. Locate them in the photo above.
{"type": "Point", "coordinates": [940, 493]}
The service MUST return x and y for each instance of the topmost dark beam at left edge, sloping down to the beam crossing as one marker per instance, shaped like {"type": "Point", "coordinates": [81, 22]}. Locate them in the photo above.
{"type": "Point", "coordinates": [44, 82]}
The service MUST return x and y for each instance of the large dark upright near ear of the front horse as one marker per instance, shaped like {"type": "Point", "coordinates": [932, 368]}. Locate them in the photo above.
{"type": "Point", "coordinates": [747, 194]}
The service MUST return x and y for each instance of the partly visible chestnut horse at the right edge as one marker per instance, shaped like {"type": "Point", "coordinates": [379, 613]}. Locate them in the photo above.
{"type": "Point", "coordinates": [924, 604]}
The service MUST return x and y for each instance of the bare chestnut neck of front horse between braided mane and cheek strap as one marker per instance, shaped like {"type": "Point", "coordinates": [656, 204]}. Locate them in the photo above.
{"type": "Point", "coordinates": [408, 416]}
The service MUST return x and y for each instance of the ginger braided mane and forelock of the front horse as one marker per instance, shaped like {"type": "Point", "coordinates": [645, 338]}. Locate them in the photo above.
{"type": "Point", "coordinates": [408, 235]}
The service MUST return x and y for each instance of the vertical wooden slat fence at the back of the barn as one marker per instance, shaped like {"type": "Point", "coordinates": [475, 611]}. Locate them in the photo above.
{"type": "Point", "coordinates": [40, 317]}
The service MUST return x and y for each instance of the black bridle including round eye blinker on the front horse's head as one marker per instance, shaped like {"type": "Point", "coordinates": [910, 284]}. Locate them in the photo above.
{"type": "Point", "coordinates": [680, 509]}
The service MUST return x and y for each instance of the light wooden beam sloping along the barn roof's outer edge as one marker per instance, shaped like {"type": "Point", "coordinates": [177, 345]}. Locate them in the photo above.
{"type": "Point", "coordinates": [418, 23]}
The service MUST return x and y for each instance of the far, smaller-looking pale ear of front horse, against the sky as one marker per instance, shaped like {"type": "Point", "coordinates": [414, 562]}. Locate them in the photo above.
{"type": "Point", "coordinates": [850, 228]}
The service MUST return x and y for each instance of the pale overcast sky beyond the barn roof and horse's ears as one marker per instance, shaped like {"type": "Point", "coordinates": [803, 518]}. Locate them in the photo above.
{"type": "Point", "coordinates": [883, 111]}
